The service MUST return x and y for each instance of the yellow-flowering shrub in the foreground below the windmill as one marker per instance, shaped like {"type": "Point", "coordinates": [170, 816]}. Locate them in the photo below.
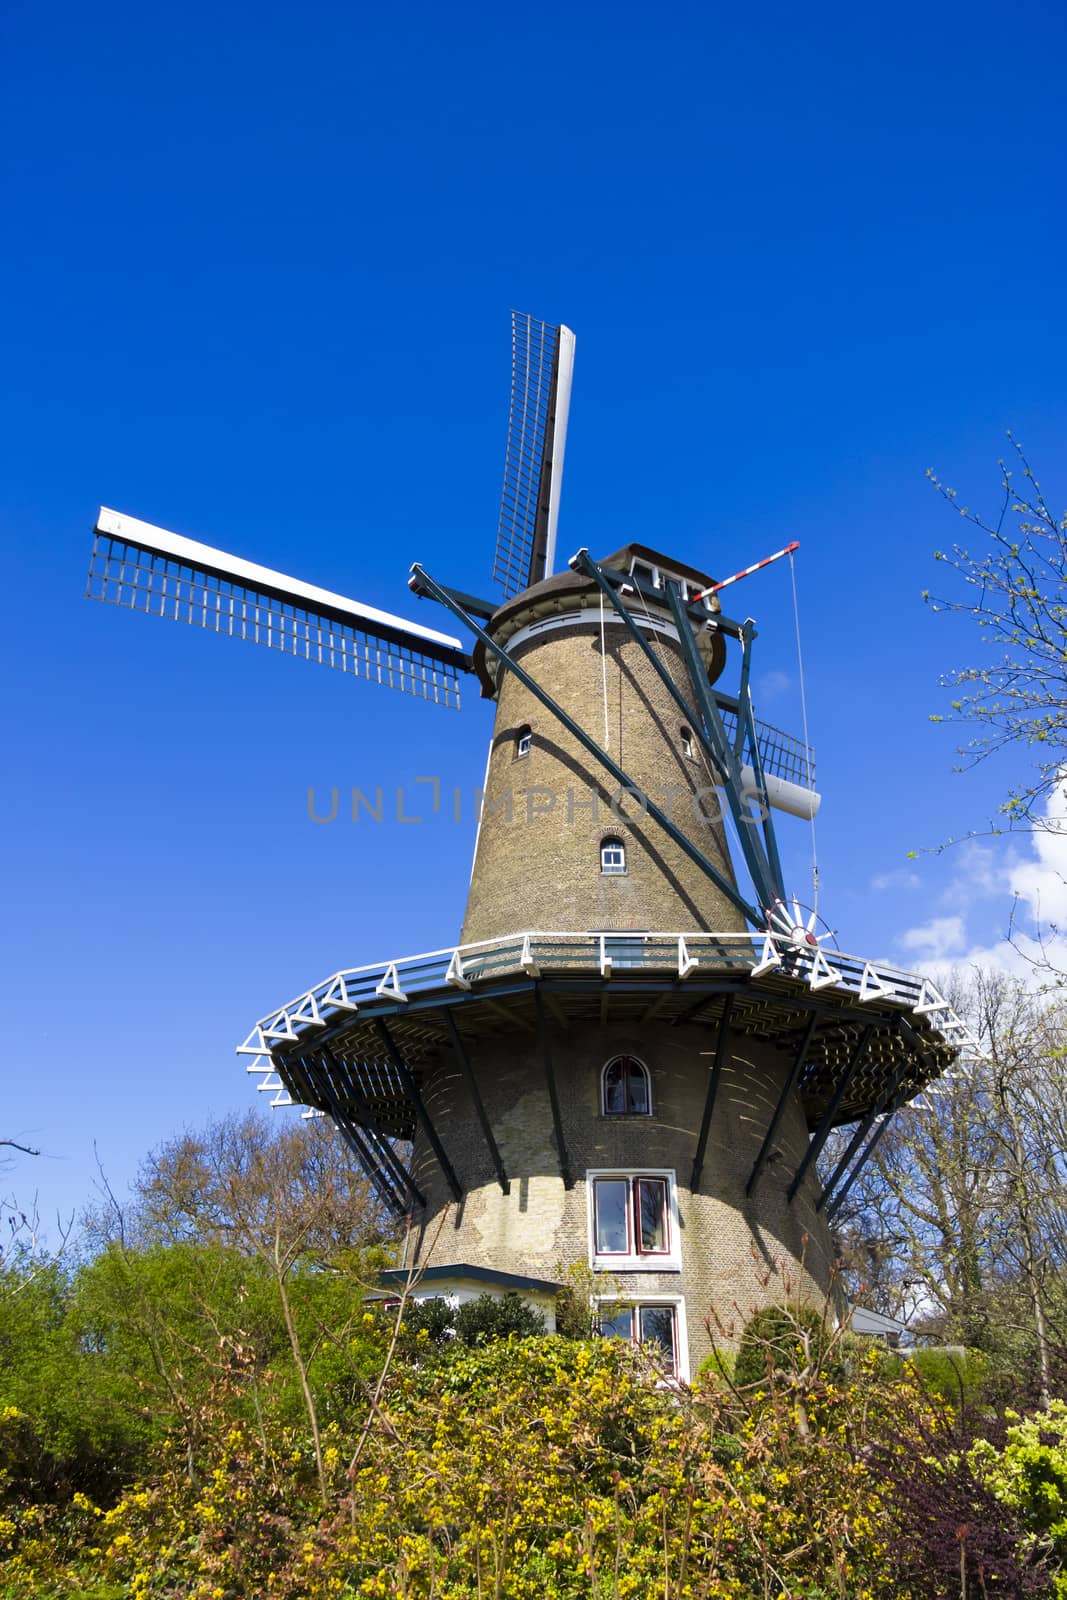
{"type": "Point", "coordinates": [540, 1470]}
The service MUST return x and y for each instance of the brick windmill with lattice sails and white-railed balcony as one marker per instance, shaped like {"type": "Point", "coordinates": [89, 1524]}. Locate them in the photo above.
{"type": "Point", "coordinates": [641, 1044]}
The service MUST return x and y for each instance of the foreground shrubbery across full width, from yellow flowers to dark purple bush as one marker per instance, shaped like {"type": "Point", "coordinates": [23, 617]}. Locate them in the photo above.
{"type": "Point", "coordinates": [559, 1470]}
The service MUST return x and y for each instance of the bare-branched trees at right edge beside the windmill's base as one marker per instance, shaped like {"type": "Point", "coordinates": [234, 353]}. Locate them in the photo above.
{"type": "Point", "coordinates": [962, 1214]}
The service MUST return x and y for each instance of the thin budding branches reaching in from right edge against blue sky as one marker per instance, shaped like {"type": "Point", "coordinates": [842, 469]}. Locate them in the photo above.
{"type": "Point", "coordinates": [1017, 591]}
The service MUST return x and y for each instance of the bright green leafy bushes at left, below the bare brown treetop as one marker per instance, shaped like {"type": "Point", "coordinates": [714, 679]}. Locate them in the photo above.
{"type": "Point", "coordinates": [106, 1362]}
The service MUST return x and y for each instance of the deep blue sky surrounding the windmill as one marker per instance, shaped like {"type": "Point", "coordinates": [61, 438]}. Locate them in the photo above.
{"type": "Point", "coordinates": [257, 276]}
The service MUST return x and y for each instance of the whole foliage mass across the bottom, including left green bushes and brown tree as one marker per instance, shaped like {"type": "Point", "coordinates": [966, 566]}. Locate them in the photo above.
{"type": "Point", "coordinates": [207, 1409]}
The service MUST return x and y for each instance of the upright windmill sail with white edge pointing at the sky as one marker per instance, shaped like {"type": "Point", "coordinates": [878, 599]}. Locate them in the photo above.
{"type": "Point", "coordinates": [543, 361]}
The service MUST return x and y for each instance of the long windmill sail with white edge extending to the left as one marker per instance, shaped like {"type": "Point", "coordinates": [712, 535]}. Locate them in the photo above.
{"type": "Point", "coordinates": [167, 575]}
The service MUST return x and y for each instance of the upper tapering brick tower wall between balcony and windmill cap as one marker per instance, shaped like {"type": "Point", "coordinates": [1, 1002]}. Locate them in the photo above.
{"type": "Point", "coordinates": [540, 868]}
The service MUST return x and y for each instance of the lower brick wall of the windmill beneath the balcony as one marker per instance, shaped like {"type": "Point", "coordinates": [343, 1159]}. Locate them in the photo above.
{"type": "Point", "coordinates": [737, 1254]}
